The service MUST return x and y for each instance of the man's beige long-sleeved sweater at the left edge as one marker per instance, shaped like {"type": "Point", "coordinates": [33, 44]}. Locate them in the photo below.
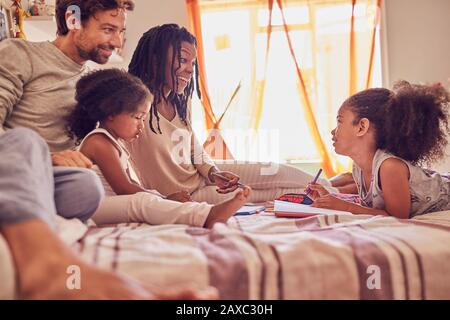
{"type": "Point", "coordinates": [37, 89]}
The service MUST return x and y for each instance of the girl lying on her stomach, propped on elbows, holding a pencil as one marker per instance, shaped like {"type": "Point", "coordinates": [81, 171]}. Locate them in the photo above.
{"type": "Point", "coordinates": [388, 135]}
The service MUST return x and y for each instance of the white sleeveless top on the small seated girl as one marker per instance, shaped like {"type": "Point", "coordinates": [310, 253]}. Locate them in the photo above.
{"type": "Point", "coordinates": [124, 157]}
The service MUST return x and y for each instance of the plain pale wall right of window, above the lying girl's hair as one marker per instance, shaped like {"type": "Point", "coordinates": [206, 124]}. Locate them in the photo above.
{"type": "Point", "coordinates": [417, 43]}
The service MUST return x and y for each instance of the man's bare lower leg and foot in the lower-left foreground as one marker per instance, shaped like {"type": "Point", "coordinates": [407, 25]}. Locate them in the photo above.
{"type": "Point", "coordinates": [42, 259]}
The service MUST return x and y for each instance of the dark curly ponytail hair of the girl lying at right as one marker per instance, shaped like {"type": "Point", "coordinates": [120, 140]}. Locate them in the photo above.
{"type": "Point", "coordinates": [411, 122]}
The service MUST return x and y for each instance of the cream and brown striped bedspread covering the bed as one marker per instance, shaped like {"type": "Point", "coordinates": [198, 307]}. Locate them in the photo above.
{"type": "Point", "coordinates": [263, 257]}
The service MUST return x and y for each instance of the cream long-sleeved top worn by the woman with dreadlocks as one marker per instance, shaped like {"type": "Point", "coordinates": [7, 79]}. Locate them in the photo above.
{"type": "Point", "coordinates": [172, 161]}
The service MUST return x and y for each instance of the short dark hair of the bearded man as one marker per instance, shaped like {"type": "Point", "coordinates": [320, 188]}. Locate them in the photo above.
{"type": "Point", "coordinates": [88, 8]}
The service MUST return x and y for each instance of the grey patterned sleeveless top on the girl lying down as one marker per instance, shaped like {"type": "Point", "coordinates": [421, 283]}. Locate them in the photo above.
{"type": "Point", "coordinates": [430, 191]}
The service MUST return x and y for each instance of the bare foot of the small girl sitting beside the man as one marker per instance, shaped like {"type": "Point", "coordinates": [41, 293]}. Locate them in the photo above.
{"type": "Point", "coordinates": [222, 211]}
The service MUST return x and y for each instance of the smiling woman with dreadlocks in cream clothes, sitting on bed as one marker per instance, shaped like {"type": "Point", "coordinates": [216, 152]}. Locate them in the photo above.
{"type": "Point", "coordinates": [166, 61]}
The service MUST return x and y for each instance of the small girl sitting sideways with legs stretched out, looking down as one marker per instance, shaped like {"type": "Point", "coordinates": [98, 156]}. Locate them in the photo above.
{"type": "Point", "coordinates": [112, 107]}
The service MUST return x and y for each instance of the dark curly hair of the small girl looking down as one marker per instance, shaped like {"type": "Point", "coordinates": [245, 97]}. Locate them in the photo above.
{"type": "Point", "coordinates": [104, 93]}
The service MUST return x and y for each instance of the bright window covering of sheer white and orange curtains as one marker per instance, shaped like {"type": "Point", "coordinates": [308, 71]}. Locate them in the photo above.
{"type": "Point", "coordinates": [289, 65]}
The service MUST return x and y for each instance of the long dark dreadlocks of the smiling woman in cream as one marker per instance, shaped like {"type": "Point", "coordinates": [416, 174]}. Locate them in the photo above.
{"type": "Point", "coordinates": [149, 64]}
